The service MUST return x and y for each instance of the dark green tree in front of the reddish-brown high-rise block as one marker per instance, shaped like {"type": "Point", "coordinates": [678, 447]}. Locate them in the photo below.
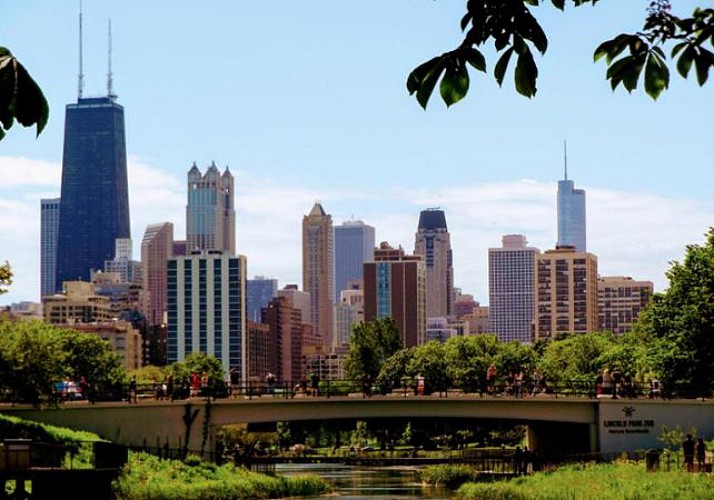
{"type": "Point", "coordinates": [370, 345]}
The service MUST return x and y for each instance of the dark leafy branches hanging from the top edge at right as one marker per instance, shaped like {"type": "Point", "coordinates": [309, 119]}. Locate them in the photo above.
{"type": "Point", "coordinates": [515, 33]}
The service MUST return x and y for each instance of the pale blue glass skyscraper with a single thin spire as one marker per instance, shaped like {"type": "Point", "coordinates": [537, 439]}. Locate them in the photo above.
{"type": "Point", "coordinates": [571, 214]}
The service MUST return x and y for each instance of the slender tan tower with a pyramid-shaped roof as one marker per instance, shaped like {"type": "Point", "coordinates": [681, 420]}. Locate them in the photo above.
{"type": "Point", "coordinates": [318, 271]}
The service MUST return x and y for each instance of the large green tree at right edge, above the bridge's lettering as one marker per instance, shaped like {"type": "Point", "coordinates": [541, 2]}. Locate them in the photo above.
{"type": "Point", "coordinates": [678, 326]}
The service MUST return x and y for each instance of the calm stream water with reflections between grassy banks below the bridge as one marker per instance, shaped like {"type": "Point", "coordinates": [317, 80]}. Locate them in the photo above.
{"type": "Point", "coordinates": [376, 483]}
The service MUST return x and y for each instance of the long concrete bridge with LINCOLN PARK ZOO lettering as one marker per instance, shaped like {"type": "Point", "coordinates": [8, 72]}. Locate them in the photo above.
{"type": "Point", "coordinates": [555, 425]}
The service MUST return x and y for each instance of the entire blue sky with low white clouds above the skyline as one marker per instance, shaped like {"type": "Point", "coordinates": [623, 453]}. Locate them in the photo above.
{"type": "Point", "coordinates": [306, 101]}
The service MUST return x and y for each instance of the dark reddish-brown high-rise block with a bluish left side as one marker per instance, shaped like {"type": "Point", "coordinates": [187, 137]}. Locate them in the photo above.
{"type": "Point", "coordinates": [395, 287]}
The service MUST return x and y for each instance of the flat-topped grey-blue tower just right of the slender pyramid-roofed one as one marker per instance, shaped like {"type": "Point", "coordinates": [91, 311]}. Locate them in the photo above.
{"type": "Point", "coordinates": [354, 245]}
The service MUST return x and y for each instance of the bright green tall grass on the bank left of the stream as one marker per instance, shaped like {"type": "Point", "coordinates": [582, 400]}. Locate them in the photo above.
{"type": "Point", "coordinates": [148, 478]}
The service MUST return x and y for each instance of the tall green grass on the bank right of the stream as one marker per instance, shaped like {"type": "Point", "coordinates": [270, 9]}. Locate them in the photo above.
{"type": "Point", "coordinates": [617, 481]}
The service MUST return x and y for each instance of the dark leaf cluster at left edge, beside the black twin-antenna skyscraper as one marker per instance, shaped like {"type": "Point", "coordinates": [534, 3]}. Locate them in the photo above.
{"type": "Point", "coordinates": [21, 98]}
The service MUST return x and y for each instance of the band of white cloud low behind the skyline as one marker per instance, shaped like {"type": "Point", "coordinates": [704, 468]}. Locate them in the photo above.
{"type": "Point", "coordinates": [635, 234]}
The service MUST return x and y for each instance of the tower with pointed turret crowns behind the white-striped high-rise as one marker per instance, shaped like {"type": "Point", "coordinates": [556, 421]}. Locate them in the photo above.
{"type": "Point", "coordinates": [210, 212]}
